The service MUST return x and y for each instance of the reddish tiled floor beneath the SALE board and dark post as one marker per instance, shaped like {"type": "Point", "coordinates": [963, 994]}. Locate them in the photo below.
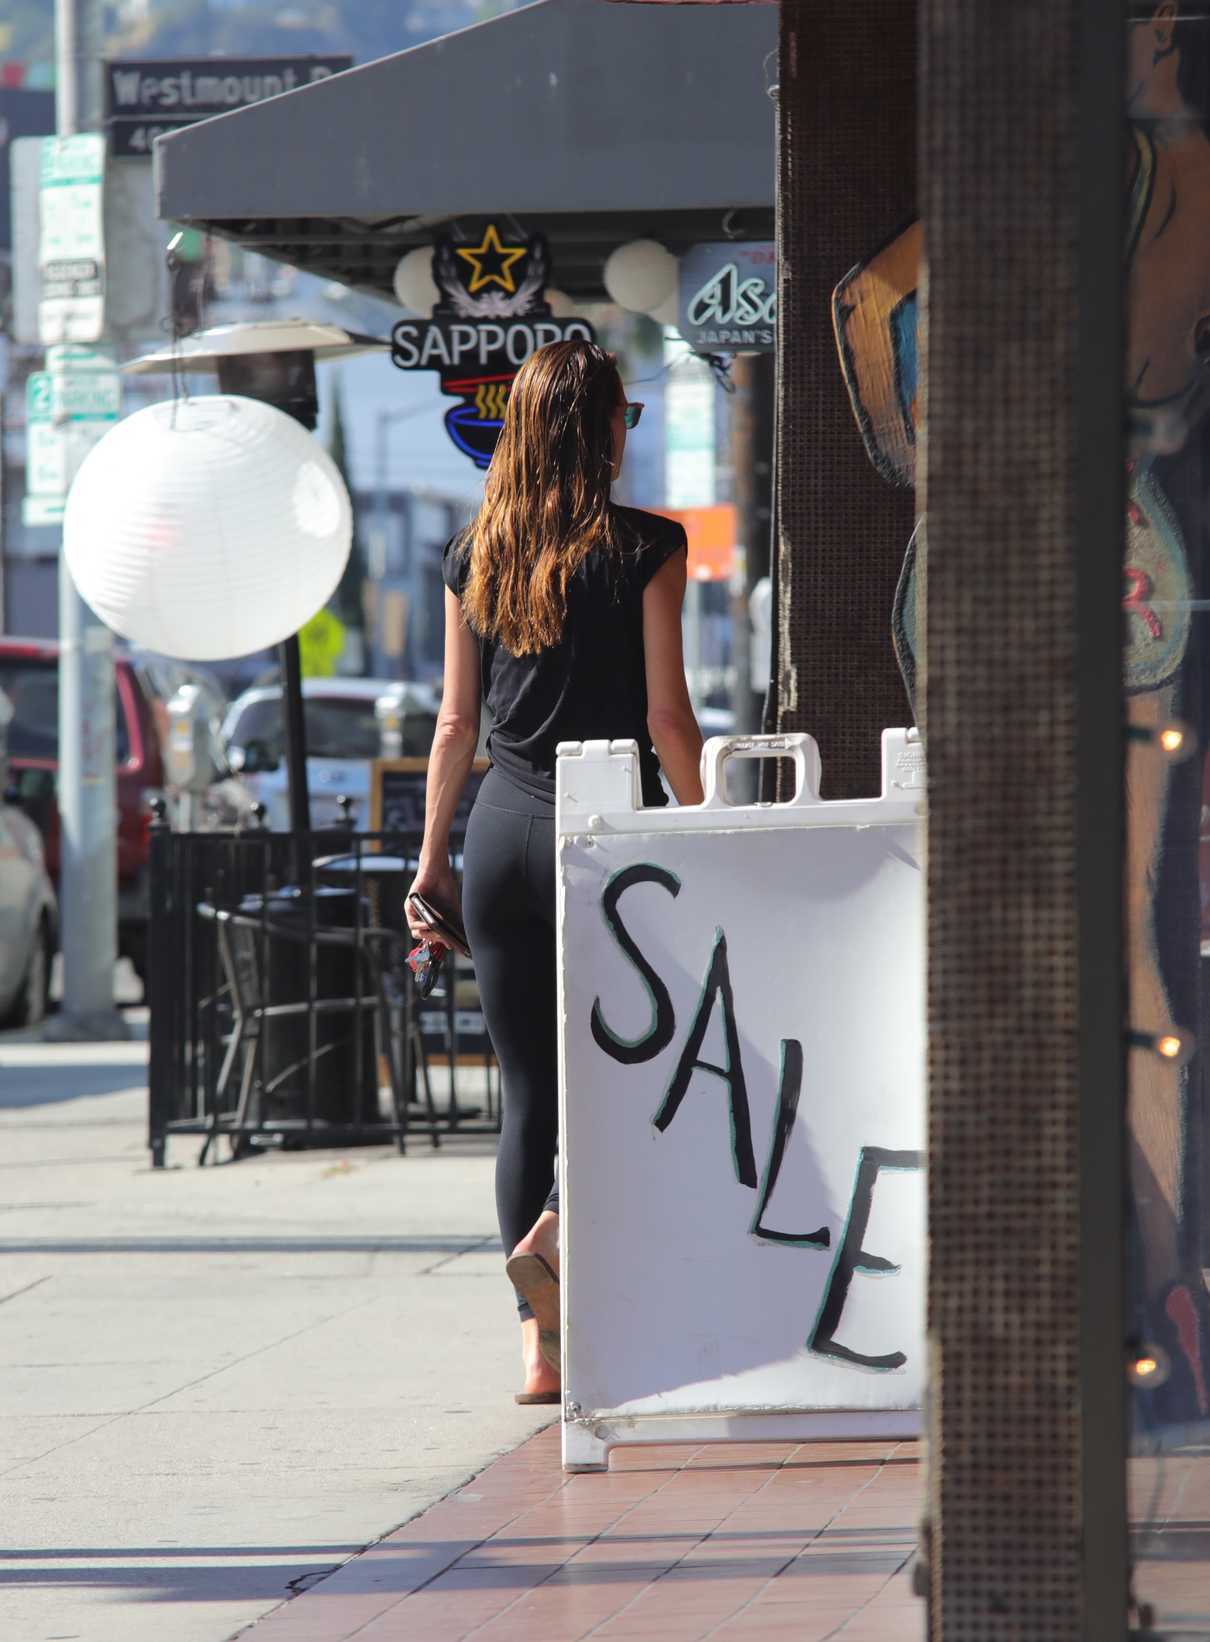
{"type": "Point", "coordinates": [738, 1543]}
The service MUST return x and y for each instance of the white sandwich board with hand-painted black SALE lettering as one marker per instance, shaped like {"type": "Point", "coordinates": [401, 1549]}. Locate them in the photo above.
{"type": "Point", "coordinates": [741, 1104]}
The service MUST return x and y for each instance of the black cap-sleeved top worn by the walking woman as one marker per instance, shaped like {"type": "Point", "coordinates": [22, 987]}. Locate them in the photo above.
{"type": "Point", "coordinates": [592, 686]}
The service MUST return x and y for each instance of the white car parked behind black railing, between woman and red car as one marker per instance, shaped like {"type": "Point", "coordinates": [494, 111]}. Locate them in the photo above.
{"type": "Point", "coordinates": [344, 736]}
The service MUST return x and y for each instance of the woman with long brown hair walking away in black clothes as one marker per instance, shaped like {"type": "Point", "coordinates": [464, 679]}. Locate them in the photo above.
{"type": "Point", "coordinates": [564, 615]}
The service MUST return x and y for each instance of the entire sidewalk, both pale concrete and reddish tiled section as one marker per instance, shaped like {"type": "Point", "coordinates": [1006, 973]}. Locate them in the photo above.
{"type": "Point", "coordinates": [224, 1385]}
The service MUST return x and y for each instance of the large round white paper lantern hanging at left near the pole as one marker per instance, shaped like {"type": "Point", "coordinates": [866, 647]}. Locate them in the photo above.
{"type": "Point", "coordinates": [208, 528]}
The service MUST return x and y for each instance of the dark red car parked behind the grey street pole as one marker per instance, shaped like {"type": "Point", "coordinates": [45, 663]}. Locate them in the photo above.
{"type": "Point", "coordinates": [30, 679]}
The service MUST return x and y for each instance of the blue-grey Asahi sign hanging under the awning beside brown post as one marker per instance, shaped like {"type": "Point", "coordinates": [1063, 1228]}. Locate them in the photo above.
{"type": "Point", "coordinates": [728, 298]}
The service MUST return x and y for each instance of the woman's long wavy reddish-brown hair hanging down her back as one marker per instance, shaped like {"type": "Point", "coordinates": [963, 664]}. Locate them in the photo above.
{"type": "Point", "coordinates": [546, 505]}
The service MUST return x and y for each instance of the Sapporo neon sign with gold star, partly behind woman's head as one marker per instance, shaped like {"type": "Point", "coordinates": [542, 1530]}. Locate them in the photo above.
{"type": "Point", "coordinates": [492, 314]}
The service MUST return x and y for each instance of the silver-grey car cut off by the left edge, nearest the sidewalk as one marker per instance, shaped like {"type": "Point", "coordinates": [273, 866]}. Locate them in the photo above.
{"type": "Point", "coordinates": [29, 914]}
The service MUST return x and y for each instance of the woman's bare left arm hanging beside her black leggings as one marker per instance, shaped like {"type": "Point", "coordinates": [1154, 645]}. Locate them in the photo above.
{"type": "Point", "coordinates": [451, 761]}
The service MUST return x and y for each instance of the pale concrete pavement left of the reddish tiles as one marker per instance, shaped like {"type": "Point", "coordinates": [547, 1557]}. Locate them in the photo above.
{"type": "Point", "coordinates": [222, 1383]}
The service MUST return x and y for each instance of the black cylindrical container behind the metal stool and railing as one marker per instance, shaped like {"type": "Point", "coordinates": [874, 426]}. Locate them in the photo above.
{"type": "Point", "coordinates": [275, 955]}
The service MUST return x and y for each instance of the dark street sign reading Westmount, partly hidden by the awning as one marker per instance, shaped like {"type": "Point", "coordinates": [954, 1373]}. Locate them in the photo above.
{"type": "Point", "coordinates": [149, 98]}
